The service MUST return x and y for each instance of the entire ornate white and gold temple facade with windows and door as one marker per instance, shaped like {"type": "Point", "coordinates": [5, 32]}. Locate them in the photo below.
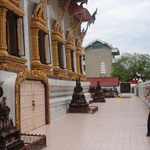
{"type": "Point", "coordinates": [40, 57]}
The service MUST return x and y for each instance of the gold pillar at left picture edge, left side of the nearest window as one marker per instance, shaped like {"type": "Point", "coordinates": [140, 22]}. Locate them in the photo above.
{"type": "Point", "coordinates": [3, 44]}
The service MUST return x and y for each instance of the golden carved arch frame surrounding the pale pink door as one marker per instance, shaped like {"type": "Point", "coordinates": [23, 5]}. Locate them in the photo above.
{"type": "Point", "coordinates": [35, 75]}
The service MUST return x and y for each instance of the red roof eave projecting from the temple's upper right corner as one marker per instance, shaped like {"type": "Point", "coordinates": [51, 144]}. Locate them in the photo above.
{"type": "Point", "coordinates": [78, 10]}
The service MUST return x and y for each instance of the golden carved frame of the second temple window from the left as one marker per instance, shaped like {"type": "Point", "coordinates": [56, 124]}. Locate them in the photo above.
{"type": "Point", "coordinates": [38, 22]}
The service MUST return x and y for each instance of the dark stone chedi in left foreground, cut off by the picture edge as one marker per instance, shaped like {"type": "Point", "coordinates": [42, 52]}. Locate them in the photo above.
{"type": "Point", "coordinates": [9, 135]}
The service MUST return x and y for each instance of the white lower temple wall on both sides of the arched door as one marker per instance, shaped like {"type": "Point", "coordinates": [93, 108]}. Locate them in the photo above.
{"type": "Point", "coordinates": [60, 93]}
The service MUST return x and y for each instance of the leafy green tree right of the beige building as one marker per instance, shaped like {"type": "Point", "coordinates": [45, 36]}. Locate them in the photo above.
{"type": "Point", "coordinates": [129, 66]}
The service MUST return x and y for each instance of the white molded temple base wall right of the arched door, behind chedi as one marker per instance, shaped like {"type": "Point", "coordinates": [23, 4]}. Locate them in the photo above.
{"type": "Point", "coordinates": [61, 94]}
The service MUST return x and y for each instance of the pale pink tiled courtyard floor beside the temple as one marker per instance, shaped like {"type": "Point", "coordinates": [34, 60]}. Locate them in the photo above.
{"type": "Point", "coordinates": [119, 124]}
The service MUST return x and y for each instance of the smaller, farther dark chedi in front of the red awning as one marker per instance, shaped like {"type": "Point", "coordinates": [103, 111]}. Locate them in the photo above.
{"type": "Point", "coordinates": [99, 95]}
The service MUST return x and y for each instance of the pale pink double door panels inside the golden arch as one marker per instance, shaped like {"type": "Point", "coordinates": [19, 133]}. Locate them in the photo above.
{"type": "Point", "coordinates": [32, 105]}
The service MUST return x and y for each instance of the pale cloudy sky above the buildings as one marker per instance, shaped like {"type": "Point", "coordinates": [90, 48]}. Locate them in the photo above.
{"type": "Point", "coordinates": [124, 24]}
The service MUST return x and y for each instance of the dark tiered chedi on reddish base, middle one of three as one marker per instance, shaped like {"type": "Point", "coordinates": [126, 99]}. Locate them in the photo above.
{"type": "Point", "coordinates": [78, 103]}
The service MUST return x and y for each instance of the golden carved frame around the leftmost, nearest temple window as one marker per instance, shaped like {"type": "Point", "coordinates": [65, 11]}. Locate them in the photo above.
{"type": "Point", "coordinates": [8, 61]}
